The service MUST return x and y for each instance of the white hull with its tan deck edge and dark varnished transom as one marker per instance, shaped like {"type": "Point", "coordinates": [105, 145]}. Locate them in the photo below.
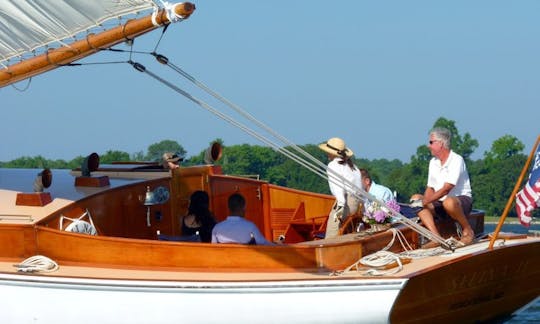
{"type": "Point", "coordinates": [435, 291]}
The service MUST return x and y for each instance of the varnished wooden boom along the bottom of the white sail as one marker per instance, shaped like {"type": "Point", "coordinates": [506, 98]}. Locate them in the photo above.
{"type": "Point", "coordinates": [92, 44]}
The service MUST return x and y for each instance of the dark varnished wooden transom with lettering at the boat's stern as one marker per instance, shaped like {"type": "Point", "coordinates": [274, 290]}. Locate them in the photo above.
{"type": "Point", "coordinates": [473, 288]}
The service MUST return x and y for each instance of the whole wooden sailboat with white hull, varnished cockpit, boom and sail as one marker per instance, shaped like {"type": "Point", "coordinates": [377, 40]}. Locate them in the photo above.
{"type": "Point", "coordinates": [87, 246]}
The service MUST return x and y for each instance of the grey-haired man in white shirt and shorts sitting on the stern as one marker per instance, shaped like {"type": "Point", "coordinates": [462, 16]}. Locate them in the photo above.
{"type": "Point", "coordinates": [448, 190]}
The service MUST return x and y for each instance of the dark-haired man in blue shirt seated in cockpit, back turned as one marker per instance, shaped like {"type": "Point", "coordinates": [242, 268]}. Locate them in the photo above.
{"type": "Point", "coordinates": [237, 229]}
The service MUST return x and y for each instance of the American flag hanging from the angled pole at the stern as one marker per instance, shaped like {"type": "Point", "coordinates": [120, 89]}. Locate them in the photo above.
{"type": "Point", "coordinates": [529, 197]}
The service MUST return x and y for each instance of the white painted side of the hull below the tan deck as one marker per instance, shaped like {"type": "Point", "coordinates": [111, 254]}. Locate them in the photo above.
{"type": "Point", "coordinates": [67, 300]}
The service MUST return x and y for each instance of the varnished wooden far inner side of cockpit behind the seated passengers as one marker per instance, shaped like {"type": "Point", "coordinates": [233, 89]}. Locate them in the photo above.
{"type": "Point", "coordinates": [119, 211]}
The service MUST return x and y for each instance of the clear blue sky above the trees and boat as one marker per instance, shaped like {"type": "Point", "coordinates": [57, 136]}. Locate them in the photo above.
{"type": "Point", "coordinates": [375, 73]}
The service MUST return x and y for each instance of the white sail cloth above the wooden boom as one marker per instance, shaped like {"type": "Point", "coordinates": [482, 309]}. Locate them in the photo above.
{"type": "Point", "coordinates": [26, 25]}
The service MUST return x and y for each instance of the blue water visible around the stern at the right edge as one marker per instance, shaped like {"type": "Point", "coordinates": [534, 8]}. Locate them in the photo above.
{"type": "Point", "coordinates": [530, 313]}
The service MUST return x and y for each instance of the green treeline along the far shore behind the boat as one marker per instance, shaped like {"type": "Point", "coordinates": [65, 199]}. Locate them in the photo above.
{"type": "Point", "coordinates": [493, 177]}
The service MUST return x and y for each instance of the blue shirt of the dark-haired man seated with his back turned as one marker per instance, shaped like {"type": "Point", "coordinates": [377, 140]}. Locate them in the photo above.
{"type": "Point", "coordinates": [237, 229]}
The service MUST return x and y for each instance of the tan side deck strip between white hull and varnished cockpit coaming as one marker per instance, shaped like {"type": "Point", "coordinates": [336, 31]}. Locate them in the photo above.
{"type": "Point", "coordinates": [100, 271]}
